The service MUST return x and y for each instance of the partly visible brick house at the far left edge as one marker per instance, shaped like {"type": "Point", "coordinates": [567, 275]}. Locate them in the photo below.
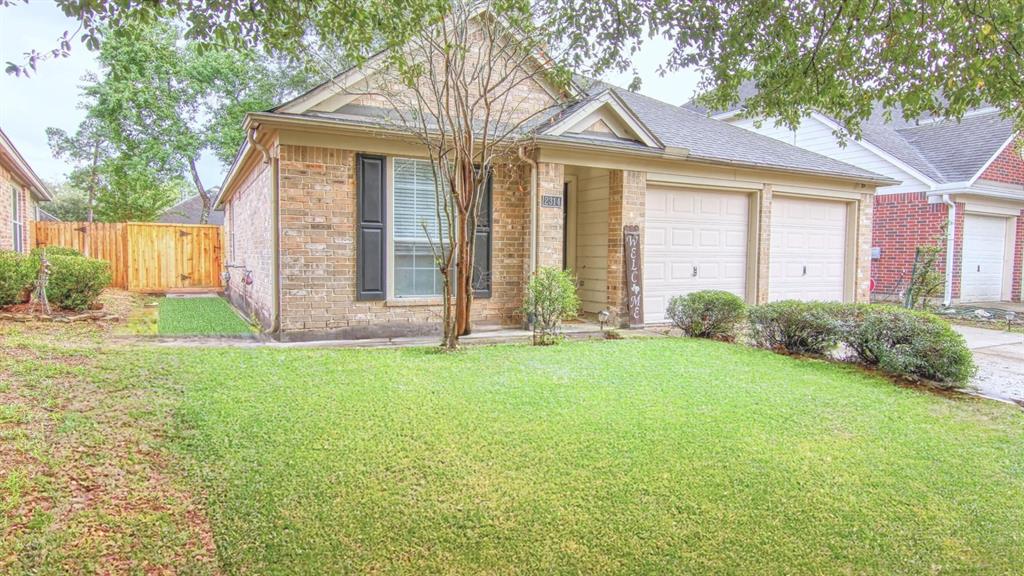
{"type": "Point", "coordinates": [21, 193]}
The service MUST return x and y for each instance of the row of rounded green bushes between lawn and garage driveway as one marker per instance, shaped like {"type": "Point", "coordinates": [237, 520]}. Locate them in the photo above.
{"type": "Point", "coordinates": [910, 344]}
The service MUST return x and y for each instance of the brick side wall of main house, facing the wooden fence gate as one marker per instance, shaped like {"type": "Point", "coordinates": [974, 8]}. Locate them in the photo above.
{"type": "Point", "coordinates": [248, 235]}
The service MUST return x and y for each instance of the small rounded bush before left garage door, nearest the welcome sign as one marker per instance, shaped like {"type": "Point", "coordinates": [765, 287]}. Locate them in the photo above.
{"type": "Point", "coordinates": [708, 314]}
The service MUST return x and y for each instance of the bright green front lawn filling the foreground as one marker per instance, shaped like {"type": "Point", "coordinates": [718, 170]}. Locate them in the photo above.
{"type": "Point", "coordinates": [615, 458]}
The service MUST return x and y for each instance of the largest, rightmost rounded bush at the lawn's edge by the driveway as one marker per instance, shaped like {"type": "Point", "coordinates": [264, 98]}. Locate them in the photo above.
{"type": "Point", "coordinates": [910, 344]}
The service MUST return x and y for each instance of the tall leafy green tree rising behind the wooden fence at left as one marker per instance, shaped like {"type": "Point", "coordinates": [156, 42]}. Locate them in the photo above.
{"type": "Point", "coordinates": [167, 102]}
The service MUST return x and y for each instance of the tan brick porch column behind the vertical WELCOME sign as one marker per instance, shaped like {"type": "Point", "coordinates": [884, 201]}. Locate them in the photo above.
{"type": "Point", "coordinates": [627, 192]}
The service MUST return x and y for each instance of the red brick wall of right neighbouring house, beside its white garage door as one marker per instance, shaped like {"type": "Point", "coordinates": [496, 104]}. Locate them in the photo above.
{"type": "Point", "coordinates": [902, 223]}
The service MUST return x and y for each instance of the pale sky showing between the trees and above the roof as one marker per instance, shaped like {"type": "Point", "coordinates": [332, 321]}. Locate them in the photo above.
{"type": "Point", "coordinates": [29, 106]}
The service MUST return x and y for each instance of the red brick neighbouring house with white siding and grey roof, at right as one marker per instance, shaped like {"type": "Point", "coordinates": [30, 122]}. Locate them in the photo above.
{"type": "Point", "coordinates": [962, 185]}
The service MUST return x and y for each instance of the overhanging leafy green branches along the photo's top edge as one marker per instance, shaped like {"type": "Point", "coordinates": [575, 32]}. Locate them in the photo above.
{"type": "Point", "coordinates": [838, 57]}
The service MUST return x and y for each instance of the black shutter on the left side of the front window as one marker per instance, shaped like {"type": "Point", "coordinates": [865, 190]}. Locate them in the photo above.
{"type": "Point", "coordinates": [371, 242]}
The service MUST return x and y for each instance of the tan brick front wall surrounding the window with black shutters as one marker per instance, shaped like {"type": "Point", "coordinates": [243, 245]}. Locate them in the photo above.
{"type": "Point", "coordinates": [318, 199]}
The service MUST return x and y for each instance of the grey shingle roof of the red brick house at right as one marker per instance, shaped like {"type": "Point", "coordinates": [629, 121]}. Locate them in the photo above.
{"type": "Point", "coordinates": [944, 150]}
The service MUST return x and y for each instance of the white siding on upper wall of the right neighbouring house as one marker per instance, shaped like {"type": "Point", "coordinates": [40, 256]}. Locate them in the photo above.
{"type": "Point", "coordinates": [818, 137]}
